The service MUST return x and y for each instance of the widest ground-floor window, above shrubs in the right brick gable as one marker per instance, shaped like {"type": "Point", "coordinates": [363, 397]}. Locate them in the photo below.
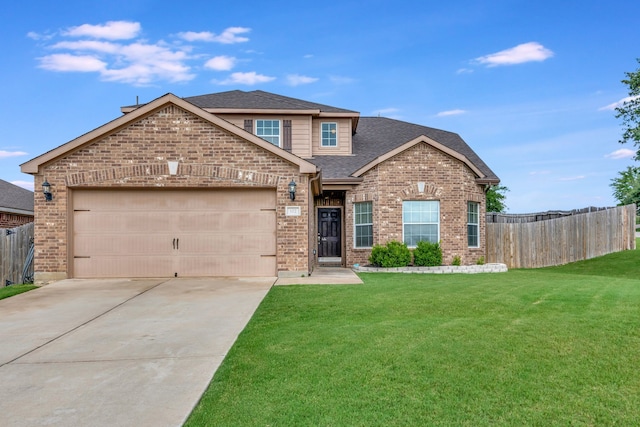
{"type": "Point", "coordinates": [420, 221]}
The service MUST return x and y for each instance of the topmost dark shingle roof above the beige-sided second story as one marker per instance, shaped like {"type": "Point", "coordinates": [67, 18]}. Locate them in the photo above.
{"type": "Point", "coordinates": [258, 99]}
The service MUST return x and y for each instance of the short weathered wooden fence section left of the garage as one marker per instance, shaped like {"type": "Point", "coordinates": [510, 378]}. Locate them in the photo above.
{"type": "Point", "coordinates": [16, 248]}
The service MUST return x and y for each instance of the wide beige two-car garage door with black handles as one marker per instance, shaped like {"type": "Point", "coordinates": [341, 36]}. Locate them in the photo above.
{"type": "Point", "coordinates": [168, 233]}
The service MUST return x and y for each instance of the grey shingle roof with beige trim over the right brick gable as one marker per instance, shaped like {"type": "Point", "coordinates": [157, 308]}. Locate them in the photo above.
{"type": "Point", "coordinates": [378, 138]}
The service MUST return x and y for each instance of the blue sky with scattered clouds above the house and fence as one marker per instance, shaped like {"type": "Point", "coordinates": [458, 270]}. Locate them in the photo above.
{"type": "Point", "coordinates": [531, 86]}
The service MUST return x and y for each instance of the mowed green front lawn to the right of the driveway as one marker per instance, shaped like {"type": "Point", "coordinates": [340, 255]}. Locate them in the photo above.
{"type": "Point", "coordinates": [554, 346]}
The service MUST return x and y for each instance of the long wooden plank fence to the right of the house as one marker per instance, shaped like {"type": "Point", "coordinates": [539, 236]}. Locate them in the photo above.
{"type": "Point", "coordinates": [556, 238]}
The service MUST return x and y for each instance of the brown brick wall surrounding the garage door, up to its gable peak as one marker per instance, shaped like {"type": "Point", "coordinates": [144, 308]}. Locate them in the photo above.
{"type": "Point", "coordinates": [136, 156]}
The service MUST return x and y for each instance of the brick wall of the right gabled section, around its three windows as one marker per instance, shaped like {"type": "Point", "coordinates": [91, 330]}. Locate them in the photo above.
{"type": "Point", "coordinates": [387, 185]}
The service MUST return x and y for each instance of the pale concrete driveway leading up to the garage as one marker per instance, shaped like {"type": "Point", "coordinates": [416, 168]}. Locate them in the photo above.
{"type": "Point", "coordinates": [117, 352]}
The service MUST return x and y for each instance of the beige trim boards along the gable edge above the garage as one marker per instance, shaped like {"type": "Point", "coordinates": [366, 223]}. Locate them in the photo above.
{"type": "Point", "coordinates": [33, 165]}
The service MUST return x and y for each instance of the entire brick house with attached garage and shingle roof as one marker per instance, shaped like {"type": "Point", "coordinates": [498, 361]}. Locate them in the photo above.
{"type": "Point", "coordinates": [200, 186]}
